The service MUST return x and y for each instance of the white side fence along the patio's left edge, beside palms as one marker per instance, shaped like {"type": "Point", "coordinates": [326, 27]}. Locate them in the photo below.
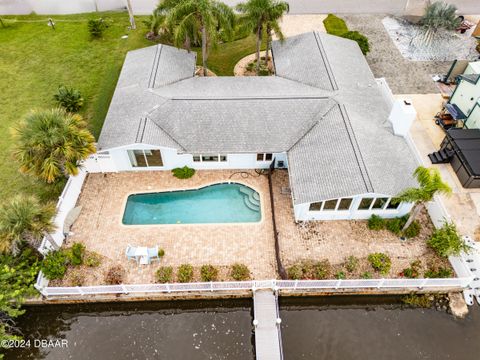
{"type": "Point", "coordinates": [66, 202]}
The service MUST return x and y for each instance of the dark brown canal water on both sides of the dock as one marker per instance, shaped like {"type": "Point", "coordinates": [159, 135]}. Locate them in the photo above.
{"type": "Point", "coordinates": [313, 328]}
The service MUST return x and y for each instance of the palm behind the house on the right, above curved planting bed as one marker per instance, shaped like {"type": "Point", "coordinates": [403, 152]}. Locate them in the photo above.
{"type": "Point", "coordinates": [260, 15]}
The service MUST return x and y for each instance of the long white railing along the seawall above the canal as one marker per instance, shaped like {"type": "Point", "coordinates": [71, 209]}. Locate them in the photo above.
{"type": "Point", "coordinates": [319, 285]}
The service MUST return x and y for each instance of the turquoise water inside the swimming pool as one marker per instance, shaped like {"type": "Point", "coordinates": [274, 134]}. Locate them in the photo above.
{"type": "Point", "coordinates": [219, 203]}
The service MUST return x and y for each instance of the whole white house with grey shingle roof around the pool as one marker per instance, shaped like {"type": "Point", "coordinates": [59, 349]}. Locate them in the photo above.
{"type": "Point", "coordinates": [323, 116]}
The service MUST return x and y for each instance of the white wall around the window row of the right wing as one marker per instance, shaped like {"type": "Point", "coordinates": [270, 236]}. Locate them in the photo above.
{"type": "Point", "coordinates": [302, 212]}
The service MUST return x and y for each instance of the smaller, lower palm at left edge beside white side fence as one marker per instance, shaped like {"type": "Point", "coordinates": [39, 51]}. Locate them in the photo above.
{"type": "Point", "coordinates": [25, 220]}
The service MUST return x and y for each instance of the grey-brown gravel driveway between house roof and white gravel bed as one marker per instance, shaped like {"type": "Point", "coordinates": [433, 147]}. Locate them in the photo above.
{"type": "Point", "coordinates": [404, 76]}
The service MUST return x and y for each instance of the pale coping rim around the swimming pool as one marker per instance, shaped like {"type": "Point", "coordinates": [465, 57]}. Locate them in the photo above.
{"type": "Point", "coordinates": [262, 209]}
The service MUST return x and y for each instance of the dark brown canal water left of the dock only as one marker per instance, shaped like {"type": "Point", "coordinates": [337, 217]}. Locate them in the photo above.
{"type": "Point", "coordinates": [160, 330]}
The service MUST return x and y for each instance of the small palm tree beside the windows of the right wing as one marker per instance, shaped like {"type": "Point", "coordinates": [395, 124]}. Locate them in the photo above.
{"type": "Point", "coordinates": [430, 183]}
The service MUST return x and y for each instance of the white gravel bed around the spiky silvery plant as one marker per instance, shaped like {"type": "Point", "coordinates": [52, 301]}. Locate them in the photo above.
{"type": "Point", "coordinates": [444, 46]}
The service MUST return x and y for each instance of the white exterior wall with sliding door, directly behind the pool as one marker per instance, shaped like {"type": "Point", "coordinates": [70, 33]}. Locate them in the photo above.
{"type": "Point", "coordinates": [118, 160]}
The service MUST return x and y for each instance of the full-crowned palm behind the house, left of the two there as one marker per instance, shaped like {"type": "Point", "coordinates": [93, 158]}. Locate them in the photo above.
{"type": "Point", "coordinates": [205, 17]}
